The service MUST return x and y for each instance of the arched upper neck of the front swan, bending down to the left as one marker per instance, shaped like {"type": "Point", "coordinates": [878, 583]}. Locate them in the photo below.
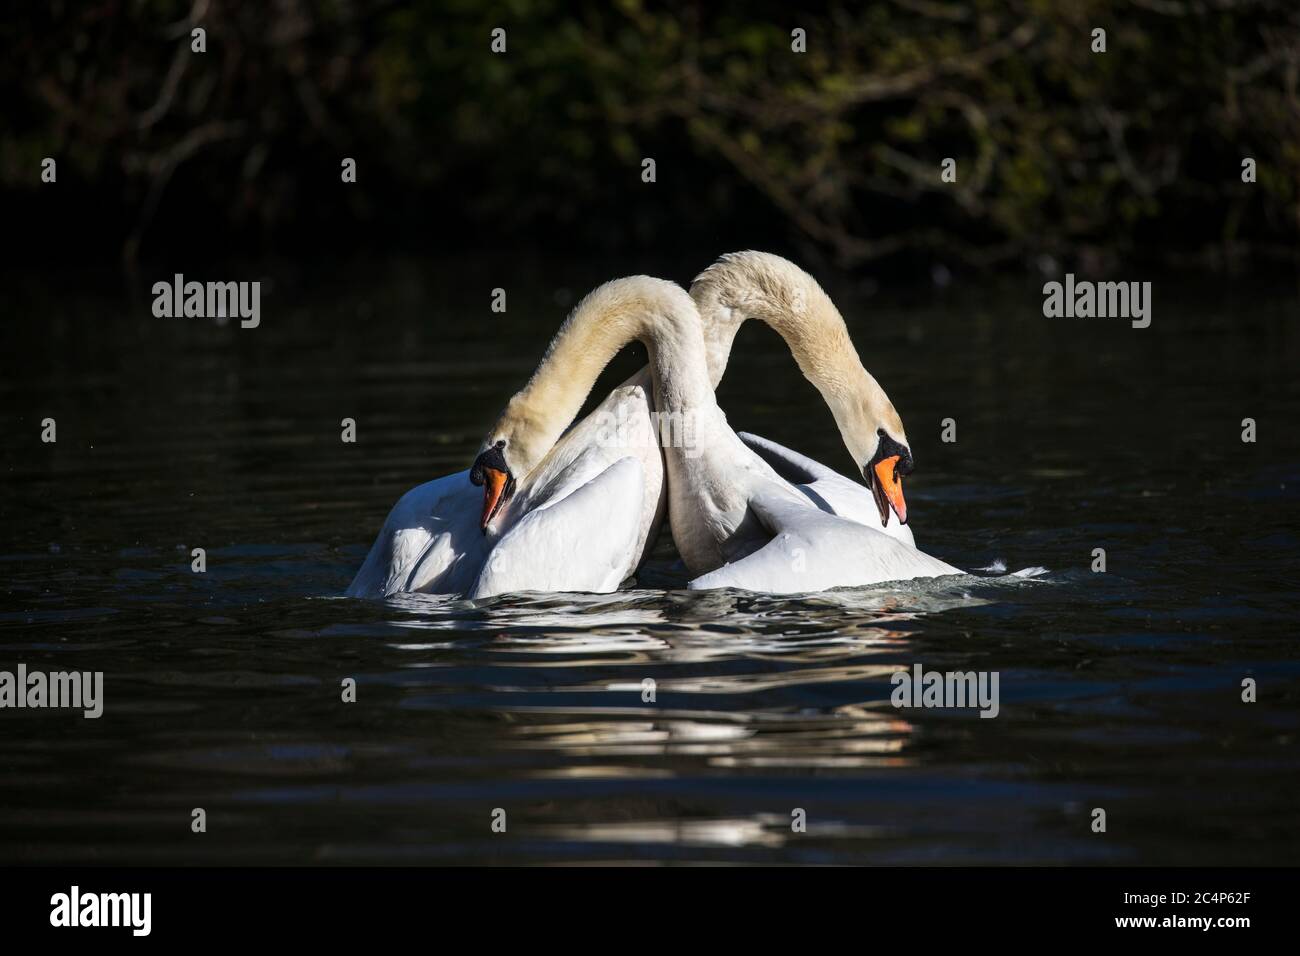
{"type": "Point", "coordinates": [656, 313]}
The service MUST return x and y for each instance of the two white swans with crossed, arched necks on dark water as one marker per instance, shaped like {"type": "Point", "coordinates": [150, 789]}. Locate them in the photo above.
{"type": "Point", "coordinates": [544, 509]}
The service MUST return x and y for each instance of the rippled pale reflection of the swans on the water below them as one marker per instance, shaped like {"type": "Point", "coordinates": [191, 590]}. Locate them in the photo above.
{"type": "Point", "coordinates": [733, 677]}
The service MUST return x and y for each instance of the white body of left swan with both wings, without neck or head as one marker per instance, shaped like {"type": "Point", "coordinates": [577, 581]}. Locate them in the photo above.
{"type": "Point", "coordinates": [580, 521]}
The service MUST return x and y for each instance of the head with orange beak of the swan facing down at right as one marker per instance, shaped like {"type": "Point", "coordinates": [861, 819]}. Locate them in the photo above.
{"type": "Point", "coordinates": [878, 443]}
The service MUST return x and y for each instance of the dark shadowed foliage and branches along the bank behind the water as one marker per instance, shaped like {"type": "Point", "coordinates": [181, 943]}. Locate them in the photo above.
{"type": "Point", "coordinates": [1065, 157]}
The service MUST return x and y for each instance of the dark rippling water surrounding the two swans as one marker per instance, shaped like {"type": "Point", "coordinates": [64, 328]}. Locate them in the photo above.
{"type": "Point", "coordinates": [223, 690]}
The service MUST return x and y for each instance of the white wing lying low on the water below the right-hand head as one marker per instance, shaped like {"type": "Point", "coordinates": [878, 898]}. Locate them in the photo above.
{"type": "Point", "coordinates": [814, 551]}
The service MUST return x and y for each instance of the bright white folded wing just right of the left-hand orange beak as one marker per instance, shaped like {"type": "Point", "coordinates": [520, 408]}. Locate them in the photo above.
{"type": "Point", "coordinates": [584, 542]}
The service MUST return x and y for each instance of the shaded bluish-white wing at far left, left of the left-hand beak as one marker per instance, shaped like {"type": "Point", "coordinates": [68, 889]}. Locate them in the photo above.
{"type": "Point", "coordinates": [431, 542]}
